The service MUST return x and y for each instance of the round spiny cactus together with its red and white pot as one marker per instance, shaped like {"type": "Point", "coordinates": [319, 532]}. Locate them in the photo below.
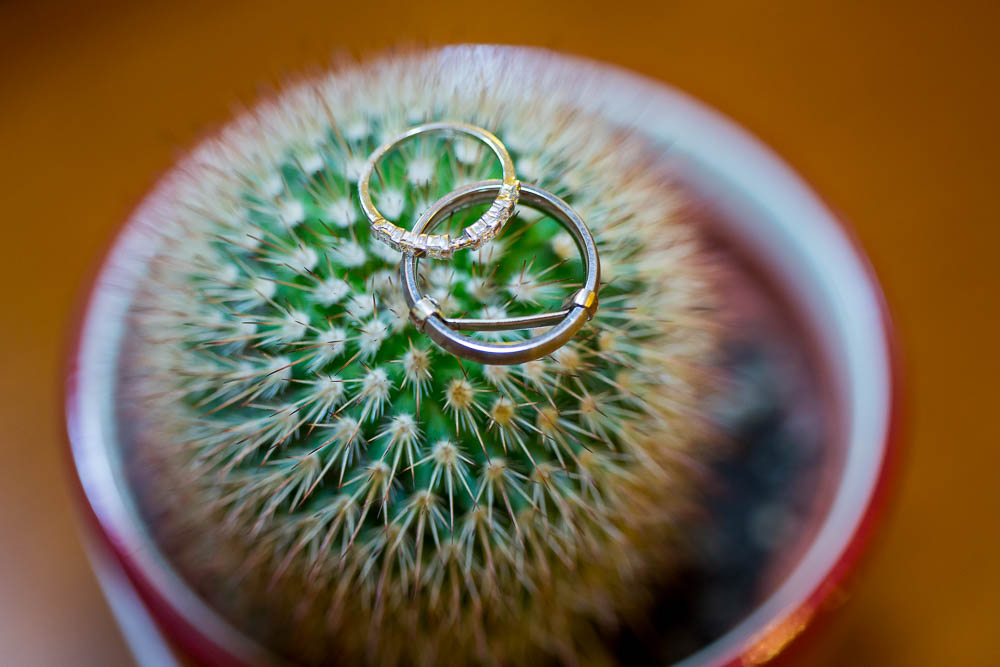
{"type": "Point", "coordinates": [288, 471]}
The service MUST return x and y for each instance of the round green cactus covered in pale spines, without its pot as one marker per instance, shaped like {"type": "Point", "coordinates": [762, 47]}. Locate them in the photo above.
{"type": "Point", "coordinates": [336, 485]}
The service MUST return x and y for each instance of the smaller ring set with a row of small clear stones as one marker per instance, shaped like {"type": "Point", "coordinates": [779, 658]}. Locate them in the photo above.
{"type": "Point", "coordinates": [442, 246]}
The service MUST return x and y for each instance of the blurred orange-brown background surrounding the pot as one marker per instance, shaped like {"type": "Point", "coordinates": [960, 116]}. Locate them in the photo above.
{"type": "Point", "coordinates": [888, 108]}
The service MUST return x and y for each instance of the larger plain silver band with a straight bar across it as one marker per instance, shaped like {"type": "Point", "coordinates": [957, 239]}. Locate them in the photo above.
{"type": "Point", "coordinates": [565, 323]}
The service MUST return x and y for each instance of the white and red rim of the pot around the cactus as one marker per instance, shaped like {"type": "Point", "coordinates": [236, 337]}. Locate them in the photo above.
{"type": "Point", "coordinates": [736, 167]}
